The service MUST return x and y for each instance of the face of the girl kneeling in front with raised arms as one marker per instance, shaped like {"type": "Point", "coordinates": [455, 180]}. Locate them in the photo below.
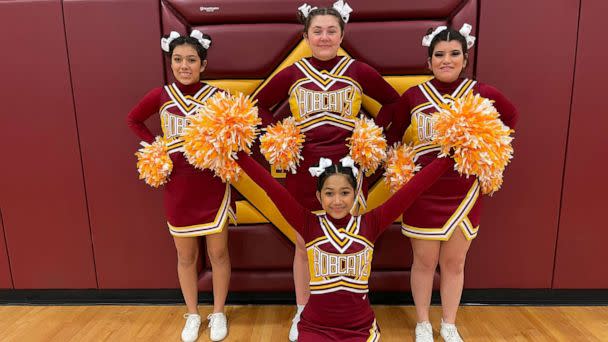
{"type": "Point", "coordinates": [337, 196]}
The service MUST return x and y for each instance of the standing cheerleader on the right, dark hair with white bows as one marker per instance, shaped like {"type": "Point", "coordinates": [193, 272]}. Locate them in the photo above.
{"type": "Point", "coordinates": [442, 222]}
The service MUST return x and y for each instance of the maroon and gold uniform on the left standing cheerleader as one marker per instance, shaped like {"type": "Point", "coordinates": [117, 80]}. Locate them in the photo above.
{"type": "Point", "coordinates": [196, 203]}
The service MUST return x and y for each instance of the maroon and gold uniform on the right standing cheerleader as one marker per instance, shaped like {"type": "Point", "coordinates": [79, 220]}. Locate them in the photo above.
{"type": "Point", "coordinates": [454, 200]}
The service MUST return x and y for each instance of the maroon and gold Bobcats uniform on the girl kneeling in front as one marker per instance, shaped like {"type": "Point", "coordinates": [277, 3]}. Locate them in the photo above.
{"type": "Point", "coordinates": [340, 254]}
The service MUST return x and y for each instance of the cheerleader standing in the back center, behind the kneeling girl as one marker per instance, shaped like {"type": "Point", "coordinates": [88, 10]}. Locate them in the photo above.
{"type": "Point", "coordinates": [325, 93]}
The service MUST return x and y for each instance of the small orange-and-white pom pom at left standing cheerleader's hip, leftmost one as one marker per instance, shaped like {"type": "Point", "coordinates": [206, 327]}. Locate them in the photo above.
{"type": "Point", "coordinates": [153, 162]}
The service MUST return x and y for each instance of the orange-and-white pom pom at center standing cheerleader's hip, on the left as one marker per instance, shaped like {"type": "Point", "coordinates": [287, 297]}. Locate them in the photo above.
{"type": "Point", "coordinates": [281, 145]}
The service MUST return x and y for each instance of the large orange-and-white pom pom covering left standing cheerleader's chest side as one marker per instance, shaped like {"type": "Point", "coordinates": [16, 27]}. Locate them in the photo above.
{"type": "Point", "coordinates": [224, 125]}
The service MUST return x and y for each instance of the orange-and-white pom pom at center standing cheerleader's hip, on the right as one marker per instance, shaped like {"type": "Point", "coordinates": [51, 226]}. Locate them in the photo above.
{"type": "Point", "coordinates": [367, 145]}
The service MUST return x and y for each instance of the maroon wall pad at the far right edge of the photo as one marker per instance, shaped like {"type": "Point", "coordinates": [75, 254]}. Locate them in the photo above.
{"type": "Point", "coordinates": [581, 249]}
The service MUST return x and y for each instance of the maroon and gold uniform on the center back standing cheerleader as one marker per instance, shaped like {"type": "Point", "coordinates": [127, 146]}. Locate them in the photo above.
{"type": "Point", "coordinates": [325, 99]}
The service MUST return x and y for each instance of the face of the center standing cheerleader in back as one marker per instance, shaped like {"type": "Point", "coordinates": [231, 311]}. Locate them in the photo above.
{"type": "Point", "coordinates": [324, 36]}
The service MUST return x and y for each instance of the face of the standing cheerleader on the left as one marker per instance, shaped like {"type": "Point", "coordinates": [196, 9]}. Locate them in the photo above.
{"type": "Point", "coordinates": [186, 64]}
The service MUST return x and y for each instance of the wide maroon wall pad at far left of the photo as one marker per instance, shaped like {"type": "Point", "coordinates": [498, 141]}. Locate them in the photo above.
{"type": "Point", "coordinates": [43, 198]}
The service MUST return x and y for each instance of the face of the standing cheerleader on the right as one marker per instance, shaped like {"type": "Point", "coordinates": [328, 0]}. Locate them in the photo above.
{"type": "Point", "coordinates": [448, 61]}
